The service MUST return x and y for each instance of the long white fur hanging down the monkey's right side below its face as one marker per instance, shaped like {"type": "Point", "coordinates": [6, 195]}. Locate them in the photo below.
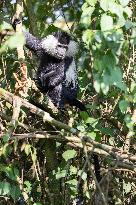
{"type": "Point", "coordinates": [71, 74]}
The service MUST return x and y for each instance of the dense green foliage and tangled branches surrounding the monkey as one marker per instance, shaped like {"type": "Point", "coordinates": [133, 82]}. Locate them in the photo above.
{"type": "Point", "coordinates": [47, 158]}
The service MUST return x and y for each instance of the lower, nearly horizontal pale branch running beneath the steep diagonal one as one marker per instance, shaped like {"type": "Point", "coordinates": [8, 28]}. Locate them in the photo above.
{"type": "Point", "coordinates": [77, 143]}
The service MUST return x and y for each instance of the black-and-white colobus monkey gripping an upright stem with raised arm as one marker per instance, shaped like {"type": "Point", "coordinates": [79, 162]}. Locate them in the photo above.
{"type": "Point", "coordinates": [57, 74]}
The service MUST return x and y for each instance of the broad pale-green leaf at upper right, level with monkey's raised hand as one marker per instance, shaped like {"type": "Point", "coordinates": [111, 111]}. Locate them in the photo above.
{"type": "Point", "coordinates": [106, 22]}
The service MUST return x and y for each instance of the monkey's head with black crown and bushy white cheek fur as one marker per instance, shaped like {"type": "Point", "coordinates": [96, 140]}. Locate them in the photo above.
{"type": "Point", "coordinates": [57, 44]}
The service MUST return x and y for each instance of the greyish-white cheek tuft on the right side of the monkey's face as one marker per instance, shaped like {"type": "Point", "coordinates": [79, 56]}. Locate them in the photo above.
{"type": "Point", "coordinates": [72, 48]}
